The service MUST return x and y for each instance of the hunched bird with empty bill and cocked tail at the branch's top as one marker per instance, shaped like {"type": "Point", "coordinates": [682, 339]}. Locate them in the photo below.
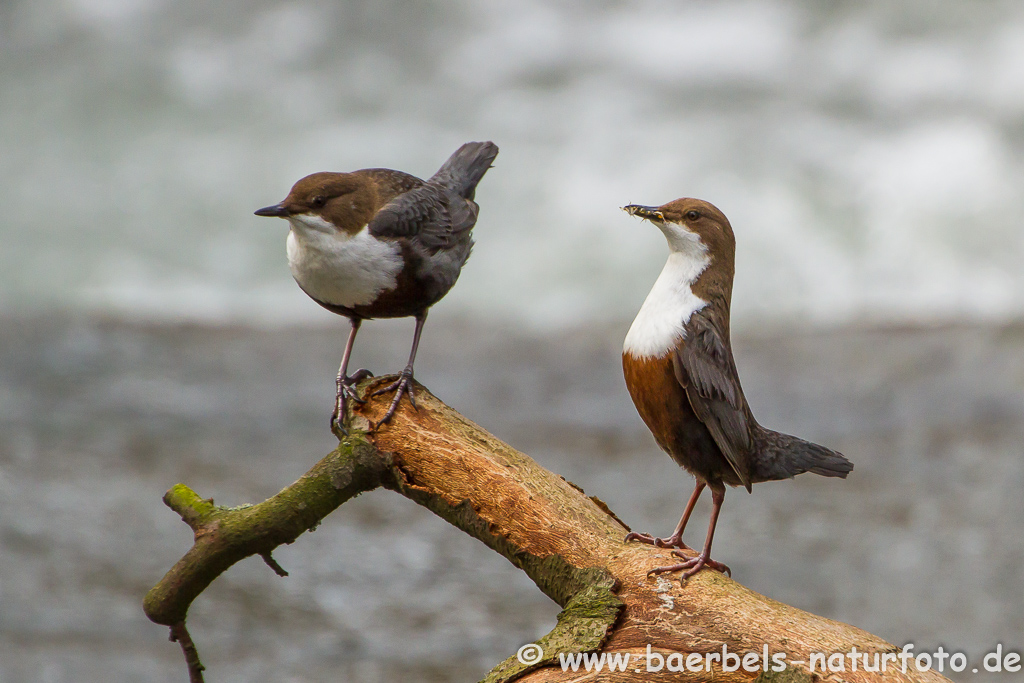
{"type": "Point", "coordinates": [378, 243]}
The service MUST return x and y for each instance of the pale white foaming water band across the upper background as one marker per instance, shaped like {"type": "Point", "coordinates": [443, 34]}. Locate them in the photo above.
{"type": "Point", "coordinates": [870, 158]}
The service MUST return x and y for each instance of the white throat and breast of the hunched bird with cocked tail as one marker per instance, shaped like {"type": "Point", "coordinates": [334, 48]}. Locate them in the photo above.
{"type": "Point", "coordinates": [338, 269]}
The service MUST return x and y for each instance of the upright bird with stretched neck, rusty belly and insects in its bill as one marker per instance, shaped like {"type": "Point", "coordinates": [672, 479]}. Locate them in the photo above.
{"type": "Point", "coordinates": [682, 378]}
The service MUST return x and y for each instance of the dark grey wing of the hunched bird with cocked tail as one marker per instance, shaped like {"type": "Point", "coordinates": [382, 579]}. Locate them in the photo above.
{"type": "Point", "coordinates": [433, 217]}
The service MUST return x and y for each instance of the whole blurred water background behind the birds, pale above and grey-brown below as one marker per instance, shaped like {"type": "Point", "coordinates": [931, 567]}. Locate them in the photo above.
{"type": "Point", "coordinates": [870, 155]}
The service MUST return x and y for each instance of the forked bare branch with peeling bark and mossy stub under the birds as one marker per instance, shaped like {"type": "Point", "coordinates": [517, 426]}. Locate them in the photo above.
{"type": "Point", "coordinates": [569, 544]}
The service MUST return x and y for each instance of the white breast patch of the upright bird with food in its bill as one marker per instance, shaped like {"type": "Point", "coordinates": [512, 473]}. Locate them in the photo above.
{"type": "Point", "coordinates": [661, 323]}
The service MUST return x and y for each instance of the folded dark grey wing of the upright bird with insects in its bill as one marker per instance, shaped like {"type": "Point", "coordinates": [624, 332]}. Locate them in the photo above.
{"type": "Point", "coordinates": [705, 367]}
